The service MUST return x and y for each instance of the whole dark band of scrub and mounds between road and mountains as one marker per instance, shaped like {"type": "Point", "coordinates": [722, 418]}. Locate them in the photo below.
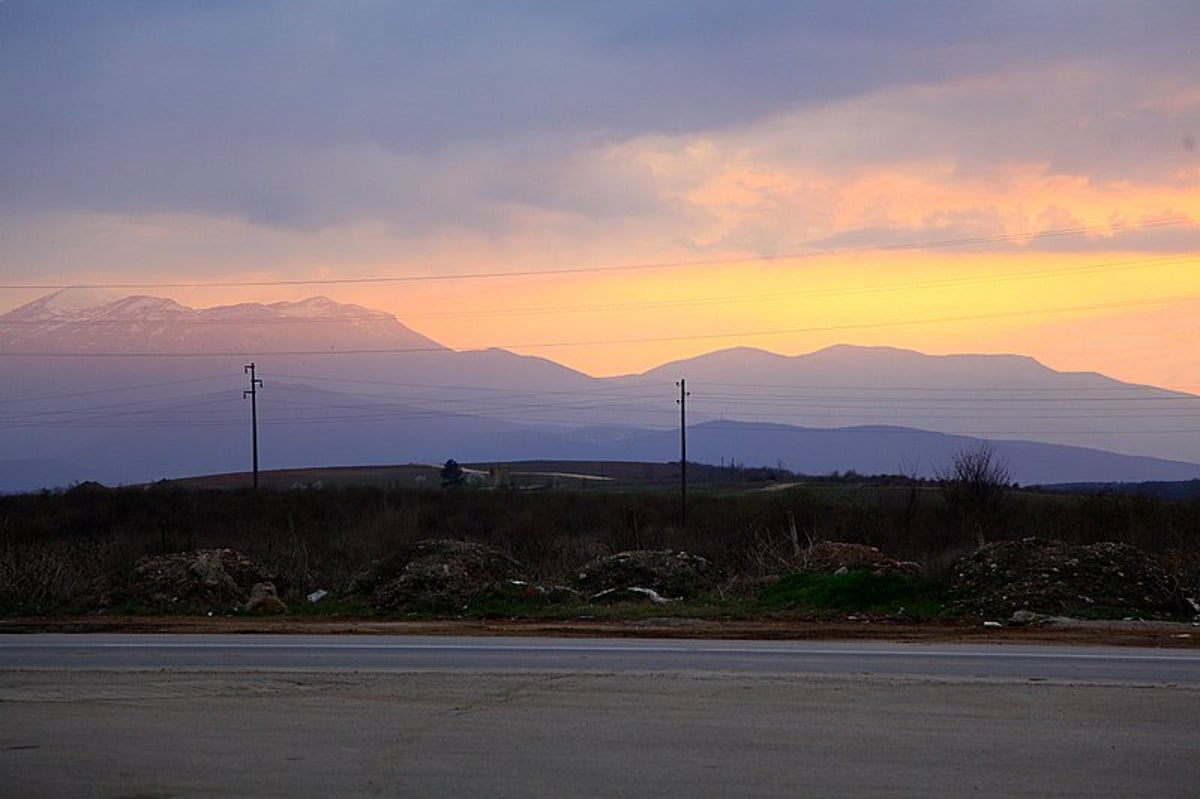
{"type": "Point", "coordinates": [759, 543]}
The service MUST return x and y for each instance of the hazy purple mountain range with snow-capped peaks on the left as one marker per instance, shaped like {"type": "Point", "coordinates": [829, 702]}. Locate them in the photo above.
{"type": "Point", "coordinates": [133, 389]}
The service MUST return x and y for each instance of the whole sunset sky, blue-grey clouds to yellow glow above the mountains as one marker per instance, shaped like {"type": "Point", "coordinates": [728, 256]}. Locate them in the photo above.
{"type": "Point", "coordinates": [616, 185]}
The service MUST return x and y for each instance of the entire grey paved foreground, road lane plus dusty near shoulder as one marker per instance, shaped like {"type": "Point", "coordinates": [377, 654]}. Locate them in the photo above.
{"type": "Point", "coordinates": [339, 717]}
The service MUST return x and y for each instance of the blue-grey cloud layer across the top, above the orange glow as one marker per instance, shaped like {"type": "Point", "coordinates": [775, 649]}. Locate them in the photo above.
{"type": "Point", "coordinates": [313, 115]}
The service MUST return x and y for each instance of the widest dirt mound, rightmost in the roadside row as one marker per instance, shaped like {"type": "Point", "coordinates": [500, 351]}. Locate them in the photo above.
{"type": "Point", "coordinates": [1058, 579]}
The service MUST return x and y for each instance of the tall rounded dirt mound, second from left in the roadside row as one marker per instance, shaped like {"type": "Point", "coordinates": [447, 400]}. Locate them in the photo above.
{"type": "Point", "coordinates": [437, 575]}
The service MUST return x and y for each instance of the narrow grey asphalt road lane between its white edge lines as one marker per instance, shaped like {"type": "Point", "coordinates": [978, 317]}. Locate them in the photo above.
{"type": "Point", "coordinates": [376, 653]}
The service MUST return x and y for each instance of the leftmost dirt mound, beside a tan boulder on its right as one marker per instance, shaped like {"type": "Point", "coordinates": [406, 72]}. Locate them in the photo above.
{"type": "Point", "coordinates": [200, 580]}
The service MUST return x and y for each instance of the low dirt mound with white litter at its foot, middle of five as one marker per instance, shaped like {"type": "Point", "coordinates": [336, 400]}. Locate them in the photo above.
{"type": "Point", "coordinates": [669, 574]}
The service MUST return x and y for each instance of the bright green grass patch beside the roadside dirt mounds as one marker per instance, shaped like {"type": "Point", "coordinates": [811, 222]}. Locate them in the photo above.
{"type": "Point", "coordinates": [860, 591]}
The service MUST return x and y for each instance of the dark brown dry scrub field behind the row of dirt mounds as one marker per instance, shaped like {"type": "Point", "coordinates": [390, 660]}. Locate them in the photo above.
{"type": "Point", "coordinates": [58, 550]}
